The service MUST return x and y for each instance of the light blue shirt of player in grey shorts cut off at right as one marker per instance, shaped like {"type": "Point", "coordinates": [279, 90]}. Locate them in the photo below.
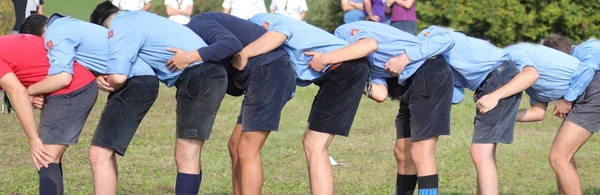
{"type": "Point", "coordinates": [561, 75]}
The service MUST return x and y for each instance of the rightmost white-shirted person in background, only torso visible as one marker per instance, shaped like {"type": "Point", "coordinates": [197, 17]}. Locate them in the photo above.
{"type": "Point", "coordinates": [293, 8]}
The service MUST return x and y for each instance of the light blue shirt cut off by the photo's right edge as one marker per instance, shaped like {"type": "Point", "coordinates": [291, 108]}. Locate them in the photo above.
{"type": "Point", "coordinates": [588, 52]}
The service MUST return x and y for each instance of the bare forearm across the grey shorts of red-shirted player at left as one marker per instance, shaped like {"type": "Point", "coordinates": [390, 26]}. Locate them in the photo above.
{"type": "Point", "coordinates": [50, 84]}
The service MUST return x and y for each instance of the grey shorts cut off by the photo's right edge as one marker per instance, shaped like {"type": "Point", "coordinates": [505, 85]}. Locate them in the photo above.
{"type": "Point", "coordinates": [586, 109]}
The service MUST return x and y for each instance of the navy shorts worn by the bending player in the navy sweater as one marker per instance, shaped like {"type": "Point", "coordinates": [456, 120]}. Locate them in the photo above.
{"type": "Point", "coordinates": [266, 91]}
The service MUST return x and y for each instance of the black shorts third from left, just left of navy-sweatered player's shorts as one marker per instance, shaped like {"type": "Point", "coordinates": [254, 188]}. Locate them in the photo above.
{"type": "Point", "coordinates": [200, 90]}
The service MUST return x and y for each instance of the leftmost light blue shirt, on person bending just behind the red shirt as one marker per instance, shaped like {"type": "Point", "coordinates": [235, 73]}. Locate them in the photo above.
{"type": "Point", "coordinates": [69, 39]}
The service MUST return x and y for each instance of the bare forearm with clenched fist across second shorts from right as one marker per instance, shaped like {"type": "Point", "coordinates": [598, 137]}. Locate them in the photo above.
{"type": "Point", "coordinates": [519, 83]}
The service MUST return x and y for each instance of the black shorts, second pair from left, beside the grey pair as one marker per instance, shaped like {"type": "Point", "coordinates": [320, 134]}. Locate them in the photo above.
{"type": "Point", "coordinates": [124, 111]}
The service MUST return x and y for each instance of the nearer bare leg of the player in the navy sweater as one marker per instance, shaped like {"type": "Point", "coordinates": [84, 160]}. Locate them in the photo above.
{"type": "Point", "coordinates": [250, 163]}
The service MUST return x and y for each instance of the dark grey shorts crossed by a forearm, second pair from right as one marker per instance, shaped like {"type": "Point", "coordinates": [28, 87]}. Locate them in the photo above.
{"type": "Point", "coordinates": [497, 125]}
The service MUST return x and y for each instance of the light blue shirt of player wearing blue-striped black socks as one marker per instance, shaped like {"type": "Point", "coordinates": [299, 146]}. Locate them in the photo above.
{"type": "Point", "coordinates": [391, 42]}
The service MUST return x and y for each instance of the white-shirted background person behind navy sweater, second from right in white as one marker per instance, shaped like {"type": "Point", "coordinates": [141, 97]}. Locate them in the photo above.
{"type": "Point", "coordinates": [244, 9]}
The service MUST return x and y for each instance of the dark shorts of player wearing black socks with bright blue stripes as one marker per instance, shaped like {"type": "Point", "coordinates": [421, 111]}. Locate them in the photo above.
{"type": "Point", "coordinates": [425, 105]}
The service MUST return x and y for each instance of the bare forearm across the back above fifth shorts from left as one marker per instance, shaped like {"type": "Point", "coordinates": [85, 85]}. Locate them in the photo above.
{"type": "Point", "coordinates": [356, 50]}
